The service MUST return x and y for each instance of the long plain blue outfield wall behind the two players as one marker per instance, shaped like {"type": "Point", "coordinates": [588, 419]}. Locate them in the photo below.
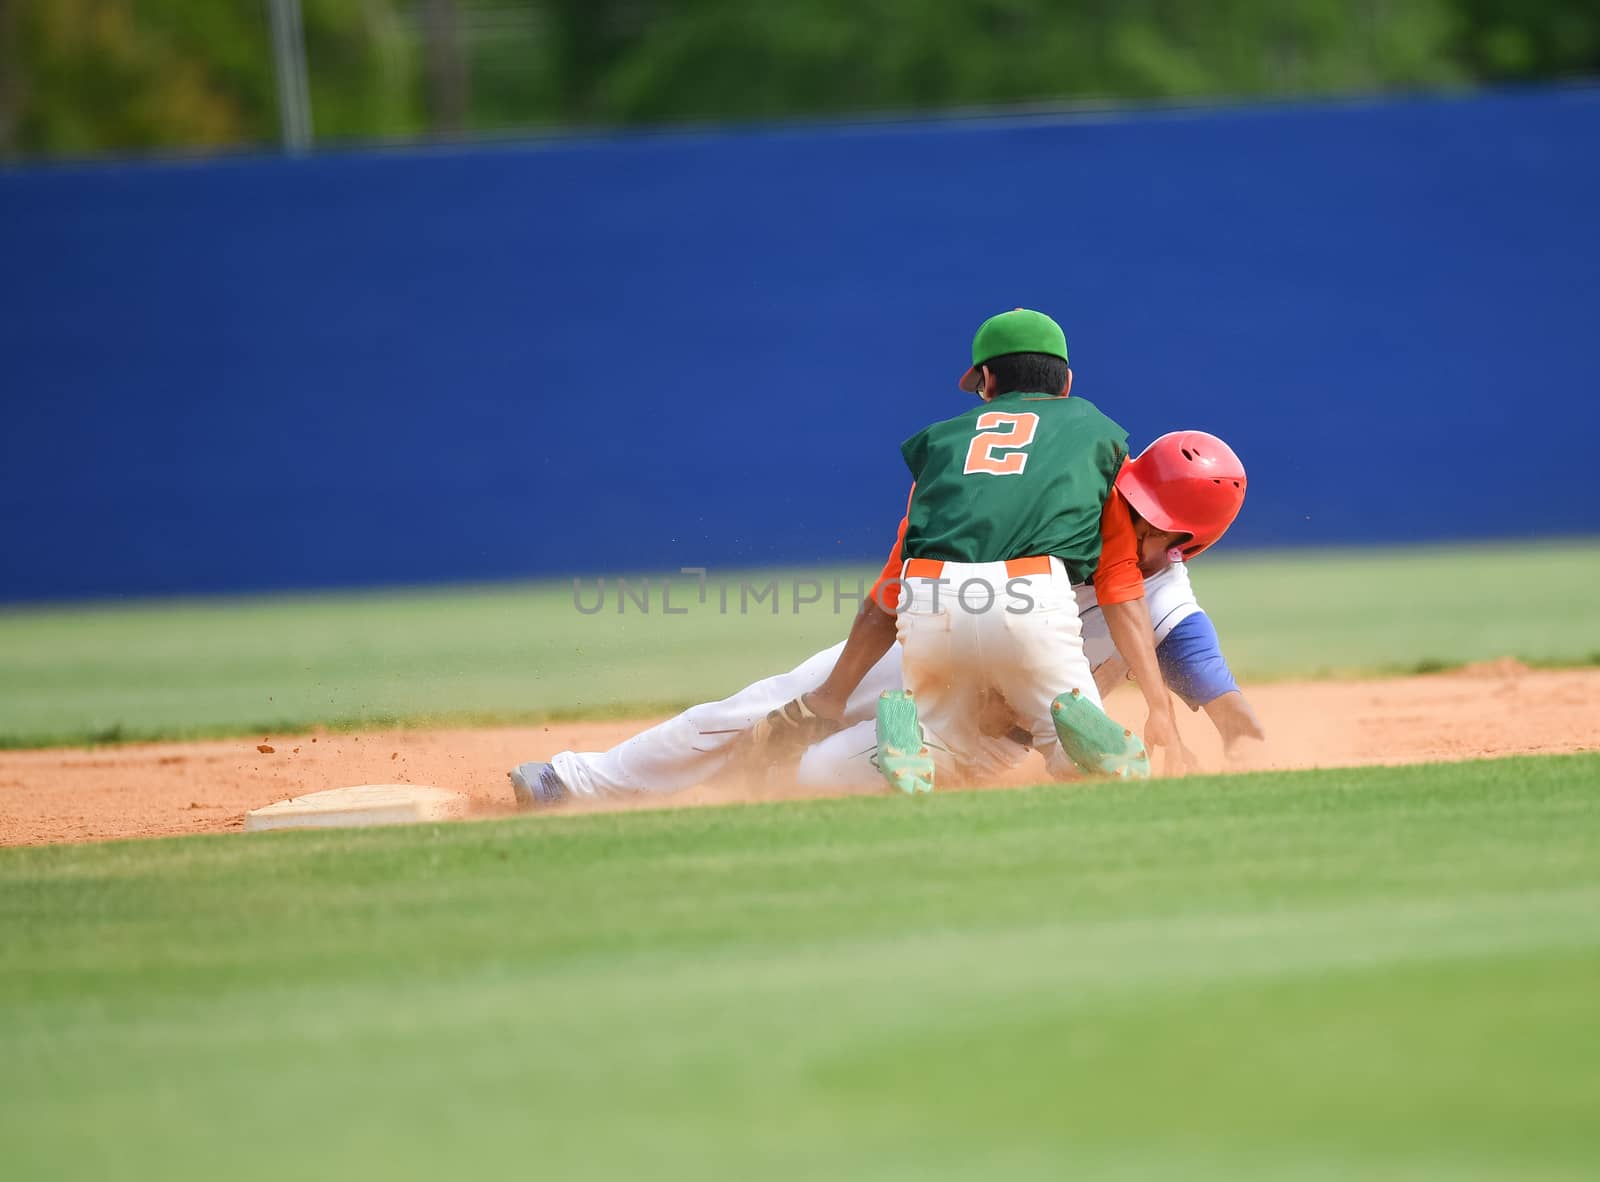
{"type": "Point", "coordinates": [703, 349]}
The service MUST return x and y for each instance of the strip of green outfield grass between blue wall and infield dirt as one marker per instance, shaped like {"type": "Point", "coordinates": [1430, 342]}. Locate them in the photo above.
{"type": "Point", "coordinates": [198, 668]}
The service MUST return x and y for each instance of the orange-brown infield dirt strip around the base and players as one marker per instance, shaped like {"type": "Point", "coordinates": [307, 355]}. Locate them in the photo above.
{"type": "Point", "coordinates": [206, 788]}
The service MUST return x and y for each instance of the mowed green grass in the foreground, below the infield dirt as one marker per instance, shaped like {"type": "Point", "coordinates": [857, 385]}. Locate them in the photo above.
{"type": "Point", "coordinates": [1377, 973]}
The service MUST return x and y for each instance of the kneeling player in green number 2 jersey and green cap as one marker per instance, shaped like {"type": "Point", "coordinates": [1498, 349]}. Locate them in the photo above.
{"type": "Point", "coordinates": [1012, 505]}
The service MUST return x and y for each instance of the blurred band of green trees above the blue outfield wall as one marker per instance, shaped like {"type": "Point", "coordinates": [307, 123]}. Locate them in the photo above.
{"type": "Point", "coordinates": [121, 76]}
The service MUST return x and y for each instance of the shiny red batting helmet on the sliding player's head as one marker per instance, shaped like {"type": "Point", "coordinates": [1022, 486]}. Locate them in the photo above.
{"type": "Point", "coordinates": [1186, 484]}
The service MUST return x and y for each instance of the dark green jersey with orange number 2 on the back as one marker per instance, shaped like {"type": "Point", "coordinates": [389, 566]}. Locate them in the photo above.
{"type": "Point", "coordinates": [1025, 474]}
